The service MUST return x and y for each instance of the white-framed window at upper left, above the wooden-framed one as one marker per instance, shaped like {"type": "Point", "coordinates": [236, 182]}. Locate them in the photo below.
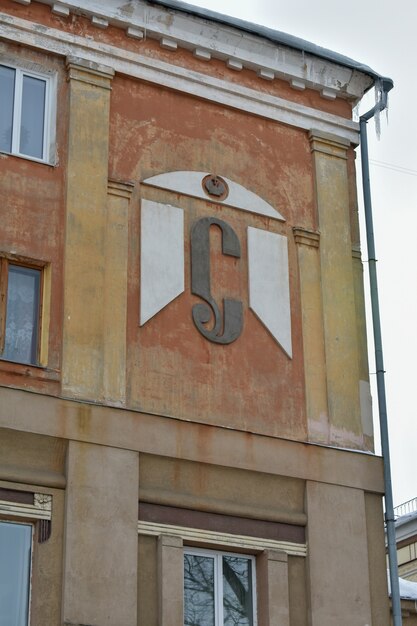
{"type": "Point", "coordinates": [25, 112]}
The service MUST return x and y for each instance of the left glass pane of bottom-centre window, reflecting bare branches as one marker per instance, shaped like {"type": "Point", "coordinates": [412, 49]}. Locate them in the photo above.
{"type": "Point", "coordinates": [198, 590]}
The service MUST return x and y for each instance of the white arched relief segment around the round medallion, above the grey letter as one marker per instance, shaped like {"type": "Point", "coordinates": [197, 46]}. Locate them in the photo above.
{"type": "Point", "coordinates": [189, 183]}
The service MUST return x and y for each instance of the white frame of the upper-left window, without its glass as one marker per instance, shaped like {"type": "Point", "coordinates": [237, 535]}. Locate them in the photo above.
{"type": "Point", "coordinates": [49, 112]}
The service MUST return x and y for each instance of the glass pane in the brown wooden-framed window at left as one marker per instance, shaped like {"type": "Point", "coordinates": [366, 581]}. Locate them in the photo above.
{"type": "Point", "coordinates": [22, 316]}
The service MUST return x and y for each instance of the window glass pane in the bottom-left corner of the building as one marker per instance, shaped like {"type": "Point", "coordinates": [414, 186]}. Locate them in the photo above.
{"type": "Point", "coordinates": [15, 549]}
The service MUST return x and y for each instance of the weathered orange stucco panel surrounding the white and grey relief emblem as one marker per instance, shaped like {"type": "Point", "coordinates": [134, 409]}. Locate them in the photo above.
{"type": "Point", "coordinates": [172, 369]}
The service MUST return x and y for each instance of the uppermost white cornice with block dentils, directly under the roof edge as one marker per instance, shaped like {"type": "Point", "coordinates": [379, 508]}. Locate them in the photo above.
{"type": "Point", "coordinates": [268, 59]}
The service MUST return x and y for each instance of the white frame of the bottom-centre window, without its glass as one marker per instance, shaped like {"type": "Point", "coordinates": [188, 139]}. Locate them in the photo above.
{"type": "Point", "coordinates": [218, 555]}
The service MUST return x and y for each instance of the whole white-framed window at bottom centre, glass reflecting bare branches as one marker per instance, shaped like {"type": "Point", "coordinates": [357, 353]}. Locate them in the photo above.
{"type": "Point", "coordinates": [219, 589]}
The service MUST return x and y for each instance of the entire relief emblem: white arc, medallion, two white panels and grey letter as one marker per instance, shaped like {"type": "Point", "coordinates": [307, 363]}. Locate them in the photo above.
{"type": "Point", "coordinates": [162, 259]}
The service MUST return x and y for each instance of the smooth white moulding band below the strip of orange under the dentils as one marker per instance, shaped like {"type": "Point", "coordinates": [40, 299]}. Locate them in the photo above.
{"type": "Point", "coordinates": [175, 77]}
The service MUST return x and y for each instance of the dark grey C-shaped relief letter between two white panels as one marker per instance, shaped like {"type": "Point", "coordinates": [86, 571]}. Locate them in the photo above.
{"type": "Point", "coordinates": [229, 328]}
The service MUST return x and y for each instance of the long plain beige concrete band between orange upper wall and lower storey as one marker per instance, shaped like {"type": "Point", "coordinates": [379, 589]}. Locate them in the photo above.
{"type": "Point", "coordinates": [68, 419]}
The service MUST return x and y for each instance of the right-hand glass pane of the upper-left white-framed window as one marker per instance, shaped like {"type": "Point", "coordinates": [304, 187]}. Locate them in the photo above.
{"type": "Point", "coordinates": [32, 120]}
